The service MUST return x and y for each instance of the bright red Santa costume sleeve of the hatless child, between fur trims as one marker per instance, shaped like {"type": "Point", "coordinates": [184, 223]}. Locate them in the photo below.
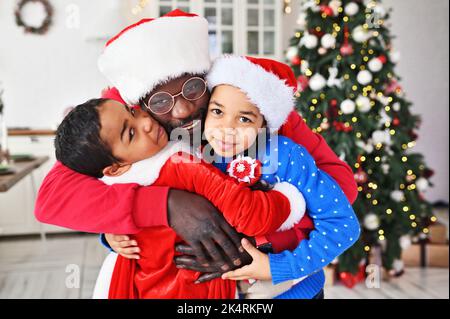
{"type": "Point", "coordinates": [253, 213]}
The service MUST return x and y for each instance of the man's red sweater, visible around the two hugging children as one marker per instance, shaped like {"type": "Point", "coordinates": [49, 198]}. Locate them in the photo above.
{"type": "Point", "coordinates": [80, 202]}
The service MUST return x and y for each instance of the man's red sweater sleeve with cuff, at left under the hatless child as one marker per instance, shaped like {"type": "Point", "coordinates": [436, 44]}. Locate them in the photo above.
{"type": "Point", "coordinates": [72, 200]}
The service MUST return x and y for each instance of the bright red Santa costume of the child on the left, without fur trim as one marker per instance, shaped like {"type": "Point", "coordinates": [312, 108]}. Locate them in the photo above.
{"type": "Point", "coordinates": [155, 275]}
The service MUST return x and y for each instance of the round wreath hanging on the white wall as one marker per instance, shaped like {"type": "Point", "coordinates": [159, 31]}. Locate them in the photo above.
{"type": "Point", "coordinates": [45, 22]}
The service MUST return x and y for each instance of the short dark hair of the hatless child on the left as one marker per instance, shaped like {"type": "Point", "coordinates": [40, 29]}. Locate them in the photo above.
{"type": "Point", "coordinates": [78, 144]}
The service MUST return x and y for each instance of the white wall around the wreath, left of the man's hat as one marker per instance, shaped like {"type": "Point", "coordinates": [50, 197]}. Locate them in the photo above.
{"type": "Point", "coordinates": [42, 75]}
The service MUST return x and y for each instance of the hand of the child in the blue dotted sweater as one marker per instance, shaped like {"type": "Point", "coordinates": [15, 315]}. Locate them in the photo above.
{"type": "Point", "coordinates": [258, 269]}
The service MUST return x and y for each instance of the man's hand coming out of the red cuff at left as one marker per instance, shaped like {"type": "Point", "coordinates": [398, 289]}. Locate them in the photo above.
{"type": "Point", "coordinates": [212, 241]}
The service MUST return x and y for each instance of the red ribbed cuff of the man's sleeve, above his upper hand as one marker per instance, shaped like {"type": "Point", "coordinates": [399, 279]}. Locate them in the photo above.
{"type": "Point", "coordinates": [150, 206]}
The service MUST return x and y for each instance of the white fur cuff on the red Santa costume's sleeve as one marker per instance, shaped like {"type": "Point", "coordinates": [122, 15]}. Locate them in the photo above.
{"type": "Point", "coordinates": [297, 201]}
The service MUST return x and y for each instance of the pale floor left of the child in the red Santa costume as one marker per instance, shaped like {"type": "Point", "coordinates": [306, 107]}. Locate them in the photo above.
{"type": "Point", "coordinates": [31, 269]}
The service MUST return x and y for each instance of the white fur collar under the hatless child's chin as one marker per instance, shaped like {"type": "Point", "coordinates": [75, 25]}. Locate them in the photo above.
{"type": "Point", "coordinates": [146, 172]}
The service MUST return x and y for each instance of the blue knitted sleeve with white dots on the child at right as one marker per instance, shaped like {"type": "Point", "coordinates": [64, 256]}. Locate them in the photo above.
{"type": "Point", "coordinates": [336, 226]}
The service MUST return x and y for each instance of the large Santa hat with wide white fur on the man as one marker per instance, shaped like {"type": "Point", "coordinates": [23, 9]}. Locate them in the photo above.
{"type": "Point", "coordinates": [154, 51]}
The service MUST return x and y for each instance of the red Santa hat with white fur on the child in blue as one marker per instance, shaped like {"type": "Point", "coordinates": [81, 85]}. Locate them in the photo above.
{"type": "Point", "coordinates": [268, 84]}
